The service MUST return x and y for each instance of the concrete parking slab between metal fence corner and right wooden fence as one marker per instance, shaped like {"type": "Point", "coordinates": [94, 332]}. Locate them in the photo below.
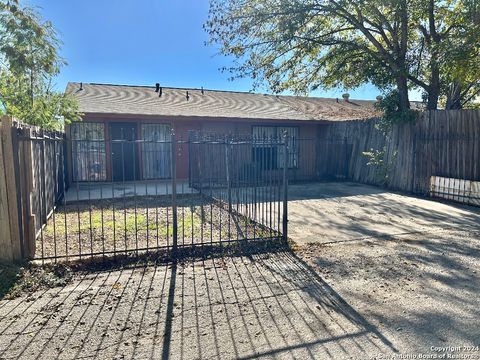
{"type": "Point", "coordinates": [343, 211]}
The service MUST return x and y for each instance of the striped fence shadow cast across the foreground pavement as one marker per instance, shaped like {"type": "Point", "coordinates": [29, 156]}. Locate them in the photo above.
{"type": "Point", "coordinates": [249, 306]}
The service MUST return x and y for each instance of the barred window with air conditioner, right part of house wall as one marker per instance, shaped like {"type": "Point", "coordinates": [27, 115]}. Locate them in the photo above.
{"type": "Point", "coordinates": [268, 146]}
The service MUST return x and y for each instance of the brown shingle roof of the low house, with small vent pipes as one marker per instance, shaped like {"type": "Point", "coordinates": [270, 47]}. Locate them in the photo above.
{"type": "Point", "coordinates": [143, 100]}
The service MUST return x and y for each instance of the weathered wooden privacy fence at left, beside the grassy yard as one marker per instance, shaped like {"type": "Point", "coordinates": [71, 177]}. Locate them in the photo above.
{"type": "Point", "coordinates": [31, 180]}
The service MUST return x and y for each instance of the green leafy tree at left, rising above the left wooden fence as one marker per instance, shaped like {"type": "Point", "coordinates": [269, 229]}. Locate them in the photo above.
{"type": "Point", "coordinates": [29, 60]}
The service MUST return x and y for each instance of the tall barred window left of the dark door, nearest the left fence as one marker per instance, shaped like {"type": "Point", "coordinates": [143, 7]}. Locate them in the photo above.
{"type": "Point", "coordinates": [88, 152]}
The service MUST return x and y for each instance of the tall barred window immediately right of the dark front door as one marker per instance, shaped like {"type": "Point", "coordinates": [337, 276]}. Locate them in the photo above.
{"type": "Point", "coordinates": [156, 151]}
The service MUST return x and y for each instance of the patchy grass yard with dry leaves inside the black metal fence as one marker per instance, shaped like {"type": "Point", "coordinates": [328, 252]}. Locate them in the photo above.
{"type": "Point", "coordinates": [143, 223]}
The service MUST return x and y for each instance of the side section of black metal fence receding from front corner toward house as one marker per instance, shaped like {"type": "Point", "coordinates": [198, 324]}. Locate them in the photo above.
{"type": "Point", "coordinates": [245, 176]}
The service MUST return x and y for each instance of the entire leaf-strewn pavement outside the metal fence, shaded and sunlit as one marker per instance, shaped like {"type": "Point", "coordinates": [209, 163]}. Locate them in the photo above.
{"type": "Point", "coordinates": [373, 274]}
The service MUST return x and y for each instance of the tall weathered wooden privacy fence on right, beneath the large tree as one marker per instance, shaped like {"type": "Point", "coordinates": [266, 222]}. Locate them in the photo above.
{"type": "Point", "coordinates": [438, 144]}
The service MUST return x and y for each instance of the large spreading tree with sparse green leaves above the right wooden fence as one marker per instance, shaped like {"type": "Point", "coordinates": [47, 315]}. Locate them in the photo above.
{"type": "Point", "coordinates": [399, 45]}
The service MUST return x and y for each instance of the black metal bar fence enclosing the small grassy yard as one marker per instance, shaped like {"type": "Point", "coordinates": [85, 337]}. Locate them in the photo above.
{"type": "Point", "coordinates": [108, 203]}
